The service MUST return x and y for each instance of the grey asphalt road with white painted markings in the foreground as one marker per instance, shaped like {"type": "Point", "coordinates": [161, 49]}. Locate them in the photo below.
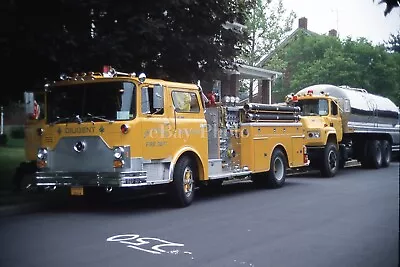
{"type": "Point", "coordinates": [349, 220]}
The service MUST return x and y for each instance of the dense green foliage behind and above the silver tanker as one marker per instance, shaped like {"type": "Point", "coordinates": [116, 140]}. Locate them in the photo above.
{"type": "Point", "coordinates": [357, 63]}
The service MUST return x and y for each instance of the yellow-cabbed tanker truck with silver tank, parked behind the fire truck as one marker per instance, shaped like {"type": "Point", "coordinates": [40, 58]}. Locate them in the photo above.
{"type": "Point", "coordinates": [344, 123]}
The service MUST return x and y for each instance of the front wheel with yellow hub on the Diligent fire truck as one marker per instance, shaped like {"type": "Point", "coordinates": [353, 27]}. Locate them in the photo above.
{"type": "Point", "coordinates": [183, 185]}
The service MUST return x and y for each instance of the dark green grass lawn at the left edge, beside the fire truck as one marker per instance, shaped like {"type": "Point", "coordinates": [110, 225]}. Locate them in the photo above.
{"type": "Point", "coordinates": [11, 156]}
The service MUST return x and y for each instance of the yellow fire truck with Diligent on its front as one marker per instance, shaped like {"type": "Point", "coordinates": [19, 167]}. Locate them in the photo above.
{"type": "Point", "coordinates": [119, 130]}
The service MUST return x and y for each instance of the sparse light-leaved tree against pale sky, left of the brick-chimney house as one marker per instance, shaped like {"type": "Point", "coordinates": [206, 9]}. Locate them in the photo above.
{"type": "Point", "coordinates": [267, 23]}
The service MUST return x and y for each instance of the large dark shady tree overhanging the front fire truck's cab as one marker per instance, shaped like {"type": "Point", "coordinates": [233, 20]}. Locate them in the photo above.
{"type": "Point", "coordinates": [179, 40]}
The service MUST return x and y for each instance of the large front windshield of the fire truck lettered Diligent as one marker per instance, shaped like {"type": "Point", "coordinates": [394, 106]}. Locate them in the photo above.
{"type": "Point", "coordinates": [106, 101]}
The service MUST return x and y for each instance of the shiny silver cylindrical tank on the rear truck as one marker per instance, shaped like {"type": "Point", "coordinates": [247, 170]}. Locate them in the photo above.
{"type": "Point", "coordinates": [362, 112]}
